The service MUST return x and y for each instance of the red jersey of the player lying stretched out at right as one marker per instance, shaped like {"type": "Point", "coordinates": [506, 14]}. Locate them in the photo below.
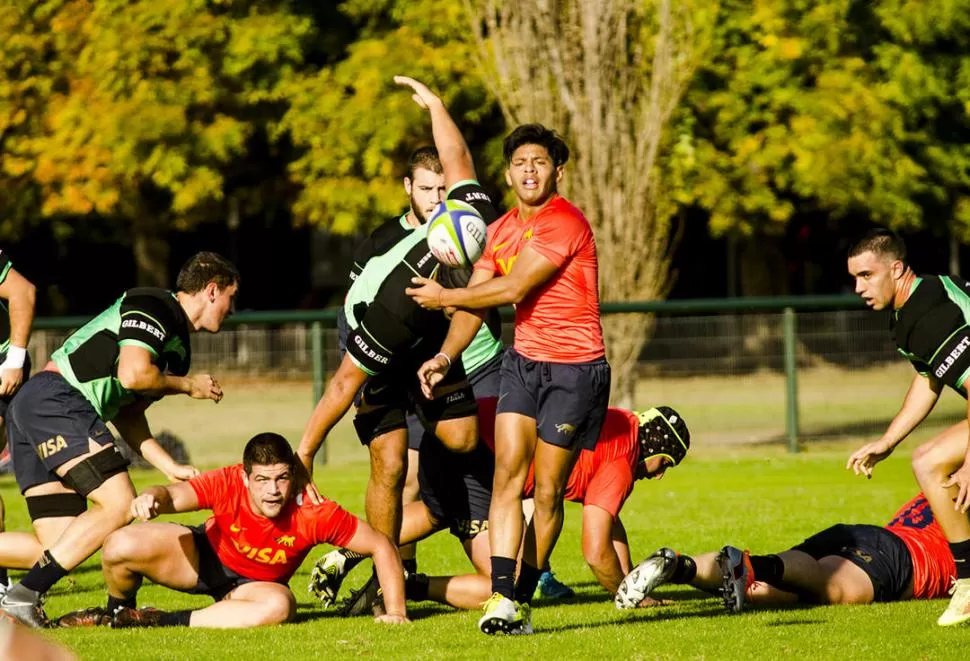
{"type": "Point", "coordinates": [933, 566]}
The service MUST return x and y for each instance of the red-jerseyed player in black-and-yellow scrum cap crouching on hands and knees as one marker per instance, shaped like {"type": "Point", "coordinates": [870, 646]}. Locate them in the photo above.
{"type": "Point", "coordinates": [456, 492]}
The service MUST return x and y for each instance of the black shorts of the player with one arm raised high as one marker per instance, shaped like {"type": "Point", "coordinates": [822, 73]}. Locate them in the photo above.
{"type": "Point", "coordinates": [389, 397]}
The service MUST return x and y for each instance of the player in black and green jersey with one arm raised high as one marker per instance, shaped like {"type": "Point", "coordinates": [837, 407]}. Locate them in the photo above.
{"type": "Point", "coordinates": [390, 337]}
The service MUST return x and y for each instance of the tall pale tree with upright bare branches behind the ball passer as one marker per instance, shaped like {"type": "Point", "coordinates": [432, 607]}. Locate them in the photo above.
{"type": "Point", "coordinates": [609, 75]}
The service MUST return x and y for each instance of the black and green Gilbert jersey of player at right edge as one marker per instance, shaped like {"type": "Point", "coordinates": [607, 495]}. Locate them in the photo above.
{"type": "Point", "coordinates": [932, 329]}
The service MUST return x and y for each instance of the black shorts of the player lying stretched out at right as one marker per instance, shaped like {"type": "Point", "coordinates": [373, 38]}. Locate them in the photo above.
{"type": "Point", "coordinates": [879, 553]}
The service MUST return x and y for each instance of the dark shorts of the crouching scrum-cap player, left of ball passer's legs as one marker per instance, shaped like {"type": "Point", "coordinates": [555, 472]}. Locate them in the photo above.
{"type": "Point", "coordinates": [457, 488]}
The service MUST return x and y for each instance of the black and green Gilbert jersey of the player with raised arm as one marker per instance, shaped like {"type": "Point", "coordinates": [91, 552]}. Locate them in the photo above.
{"type": "Point", "coordinates": [383, 320]}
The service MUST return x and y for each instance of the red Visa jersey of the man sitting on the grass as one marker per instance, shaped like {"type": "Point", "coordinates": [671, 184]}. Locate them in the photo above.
{"type": "Point", "coordinates": [258, 547]}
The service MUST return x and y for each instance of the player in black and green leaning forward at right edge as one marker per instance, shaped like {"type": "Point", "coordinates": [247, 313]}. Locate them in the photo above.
{"type": "Point", "coordinates": [930, 321]}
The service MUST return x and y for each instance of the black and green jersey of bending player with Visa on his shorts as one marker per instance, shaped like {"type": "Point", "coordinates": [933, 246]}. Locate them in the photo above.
{"type": "Point", "coordinates": [146, 317]}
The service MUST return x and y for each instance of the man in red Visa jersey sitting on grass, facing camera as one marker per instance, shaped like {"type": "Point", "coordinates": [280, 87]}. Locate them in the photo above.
{"type": "Point", "coordinates": [243, 556]}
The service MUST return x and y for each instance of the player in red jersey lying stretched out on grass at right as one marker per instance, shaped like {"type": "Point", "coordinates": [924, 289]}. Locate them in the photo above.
{"type": "Point", "coordinates": [844, 564]}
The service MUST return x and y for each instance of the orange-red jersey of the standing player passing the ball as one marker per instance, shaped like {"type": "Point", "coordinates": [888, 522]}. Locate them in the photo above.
{"type": "Point", "coordinates": [559, 321]}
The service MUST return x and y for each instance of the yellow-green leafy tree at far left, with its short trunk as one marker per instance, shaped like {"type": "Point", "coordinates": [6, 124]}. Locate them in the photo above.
{"type": "Point", "coordinates": [147, 106]}
